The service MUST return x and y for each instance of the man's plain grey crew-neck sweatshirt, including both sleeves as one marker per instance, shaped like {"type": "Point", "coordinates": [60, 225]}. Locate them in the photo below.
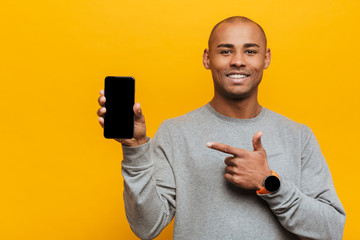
{"type": "Point", "coordinates": [176, 174]}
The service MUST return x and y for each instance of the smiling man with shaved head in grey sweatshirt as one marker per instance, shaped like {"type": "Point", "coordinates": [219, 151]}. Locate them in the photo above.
{"type": "Point", "coordinates": [277, 186]}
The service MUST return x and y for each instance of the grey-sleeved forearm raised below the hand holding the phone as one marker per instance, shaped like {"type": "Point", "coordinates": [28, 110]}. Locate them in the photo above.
{"type": "Point", "coordinates": [149, 204]}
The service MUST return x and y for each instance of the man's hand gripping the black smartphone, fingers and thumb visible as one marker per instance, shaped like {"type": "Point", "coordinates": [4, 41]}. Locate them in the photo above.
{"type": "Point", "coordinates": [139, 123]}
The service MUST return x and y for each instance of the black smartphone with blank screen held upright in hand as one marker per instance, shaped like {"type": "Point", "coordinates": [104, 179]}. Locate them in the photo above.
{"type": "Point", "coordinates": [119, 116]}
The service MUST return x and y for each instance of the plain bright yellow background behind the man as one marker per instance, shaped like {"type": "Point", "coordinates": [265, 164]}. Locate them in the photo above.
{"type": "Point", "coordinates": [60, 179]}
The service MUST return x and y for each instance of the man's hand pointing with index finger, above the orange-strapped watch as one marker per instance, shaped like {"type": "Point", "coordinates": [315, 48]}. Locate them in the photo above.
{"type": "Point", "coordinates": [245, 169]}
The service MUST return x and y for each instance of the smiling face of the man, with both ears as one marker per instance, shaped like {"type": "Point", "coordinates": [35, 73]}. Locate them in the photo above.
{"type": "Point", "coordinates": [237, 58]}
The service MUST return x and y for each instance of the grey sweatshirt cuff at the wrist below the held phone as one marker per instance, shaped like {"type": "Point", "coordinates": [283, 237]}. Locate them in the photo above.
{"type": "Point", "coordinates": [136, 156]}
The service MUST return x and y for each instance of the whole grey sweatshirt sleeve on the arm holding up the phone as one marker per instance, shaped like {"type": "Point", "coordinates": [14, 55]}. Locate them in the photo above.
{"type": "Point", "coordinates": [149, 185]}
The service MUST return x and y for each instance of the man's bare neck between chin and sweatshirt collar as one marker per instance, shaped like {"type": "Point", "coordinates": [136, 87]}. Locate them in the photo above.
{"type": "Point", "coordinates": [235, 108]}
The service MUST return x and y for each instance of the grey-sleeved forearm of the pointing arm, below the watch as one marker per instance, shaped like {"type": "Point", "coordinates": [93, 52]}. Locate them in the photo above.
{"type": "Point", "coordinates": [308, 217]}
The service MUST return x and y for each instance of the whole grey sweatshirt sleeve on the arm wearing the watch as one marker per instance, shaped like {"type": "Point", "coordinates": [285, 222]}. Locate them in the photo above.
{"type": "Point", "coordinates": [313, 210]}
